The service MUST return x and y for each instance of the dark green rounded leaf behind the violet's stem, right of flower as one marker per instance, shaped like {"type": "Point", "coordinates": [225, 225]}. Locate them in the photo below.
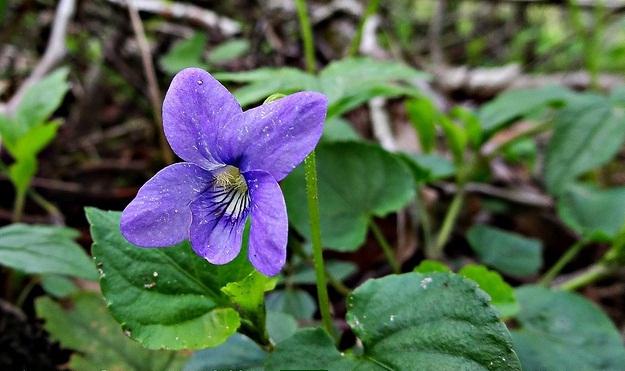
{"type": "Point", "coordinates": [357, 181]}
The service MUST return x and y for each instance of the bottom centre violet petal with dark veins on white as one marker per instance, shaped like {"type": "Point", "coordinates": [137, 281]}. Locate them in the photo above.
{"type": "Point", "coordinates": [215, 235]}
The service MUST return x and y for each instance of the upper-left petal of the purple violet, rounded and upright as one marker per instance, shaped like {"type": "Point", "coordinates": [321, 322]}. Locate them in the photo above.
{"type": "Point", "coordinates": [196, 106]}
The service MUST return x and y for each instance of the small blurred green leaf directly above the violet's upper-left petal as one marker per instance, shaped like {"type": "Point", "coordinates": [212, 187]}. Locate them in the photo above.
{"type": "Point", "coordinates": [186, 53]}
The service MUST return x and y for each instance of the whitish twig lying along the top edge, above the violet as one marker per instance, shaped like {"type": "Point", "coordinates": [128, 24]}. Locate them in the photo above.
{"type": "Point", "coordinates": [207, 18]}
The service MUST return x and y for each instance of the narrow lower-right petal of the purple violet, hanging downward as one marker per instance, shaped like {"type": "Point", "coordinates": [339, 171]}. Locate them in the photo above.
{"type": "Point", "coordinates": [269, 225]}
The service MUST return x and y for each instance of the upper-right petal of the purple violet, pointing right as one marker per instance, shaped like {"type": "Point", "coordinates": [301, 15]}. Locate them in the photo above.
{"type": "Point", "coordinates": [276, 136]}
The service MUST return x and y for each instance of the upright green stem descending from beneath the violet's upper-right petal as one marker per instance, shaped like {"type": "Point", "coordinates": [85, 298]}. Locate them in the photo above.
{"type": "Point", "coordinates": [312, 194]}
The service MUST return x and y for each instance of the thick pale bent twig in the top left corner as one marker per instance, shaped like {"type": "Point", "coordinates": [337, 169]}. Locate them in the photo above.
{"type": "Point", "coordinates": [55, 51]}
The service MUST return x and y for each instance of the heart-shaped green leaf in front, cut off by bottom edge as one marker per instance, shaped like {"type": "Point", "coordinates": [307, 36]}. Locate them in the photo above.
{"type": "Point", "coordinates": [438, 322]}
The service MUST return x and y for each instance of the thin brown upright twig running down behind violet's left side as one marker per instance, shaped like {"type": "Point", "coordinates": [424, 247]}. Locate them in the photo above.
{"type": "Point", "coordinates": [150, 74]}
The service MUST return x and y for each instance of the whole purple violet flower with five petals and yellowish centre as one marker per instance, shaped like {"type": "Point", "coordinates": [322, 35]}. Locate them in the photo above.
{"type": "Point", "coordinates": [234, 161]}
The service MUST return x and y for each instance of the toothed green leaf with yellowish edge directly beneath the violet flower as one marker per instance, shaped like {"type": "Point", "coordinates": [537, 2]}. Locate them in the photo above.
{"type": "Point", "coordinates": [165, 298]}
